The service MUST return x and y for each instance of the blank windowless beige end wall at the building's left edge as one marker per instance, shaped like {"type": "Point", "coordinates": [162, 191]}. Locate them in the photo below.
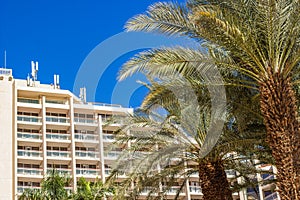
{"type": "Point", "coordinates": [6, 137]}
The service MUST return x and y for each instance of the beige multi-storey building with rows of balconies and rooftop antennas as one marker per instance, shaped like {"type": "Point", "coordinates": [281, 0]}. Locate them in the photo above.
{"type": "Point", "coordinates": [44, 127]}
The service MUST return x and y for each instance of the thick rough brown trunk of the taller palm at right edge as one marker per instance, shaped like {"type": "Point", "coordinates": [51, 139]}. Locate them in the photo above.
{"type": "Point", "coordinates": [279, 108]}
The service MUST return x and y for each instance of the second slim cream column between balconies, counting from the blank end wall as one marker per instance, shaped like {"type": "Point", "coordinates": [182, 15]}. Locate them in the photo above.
{"type": "Point", "coordinates": [72, 132]}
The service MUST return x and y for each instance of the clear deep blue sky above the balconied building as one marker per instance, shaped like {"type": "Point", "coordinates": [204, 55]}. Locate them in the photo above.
{"type": "Point", "coordinates": [60, 34]}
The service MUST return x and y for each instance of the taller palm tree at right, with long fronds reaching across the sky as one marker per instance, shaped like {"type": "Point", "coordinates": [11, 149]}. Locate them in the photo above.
{"type": "Point", "coordinates": [255, 39]}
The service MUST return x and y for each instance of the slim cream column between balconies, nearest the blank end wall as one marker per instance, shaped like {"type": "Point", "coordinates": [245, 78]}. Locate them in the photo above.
{"type": "Point", "coordinates": [44, 128]}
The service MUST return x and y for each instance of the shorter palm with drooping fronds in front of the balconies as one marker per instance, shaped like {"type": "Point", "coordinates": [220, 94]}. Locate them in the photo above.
{"type": "Point", "coordinates": [170, 137]}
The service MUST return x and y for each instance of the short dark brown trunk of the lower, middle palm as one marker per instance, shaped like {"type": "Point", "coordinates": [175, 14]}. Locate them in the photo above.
{"type": "Point", "coordinates": [213, 181]}
